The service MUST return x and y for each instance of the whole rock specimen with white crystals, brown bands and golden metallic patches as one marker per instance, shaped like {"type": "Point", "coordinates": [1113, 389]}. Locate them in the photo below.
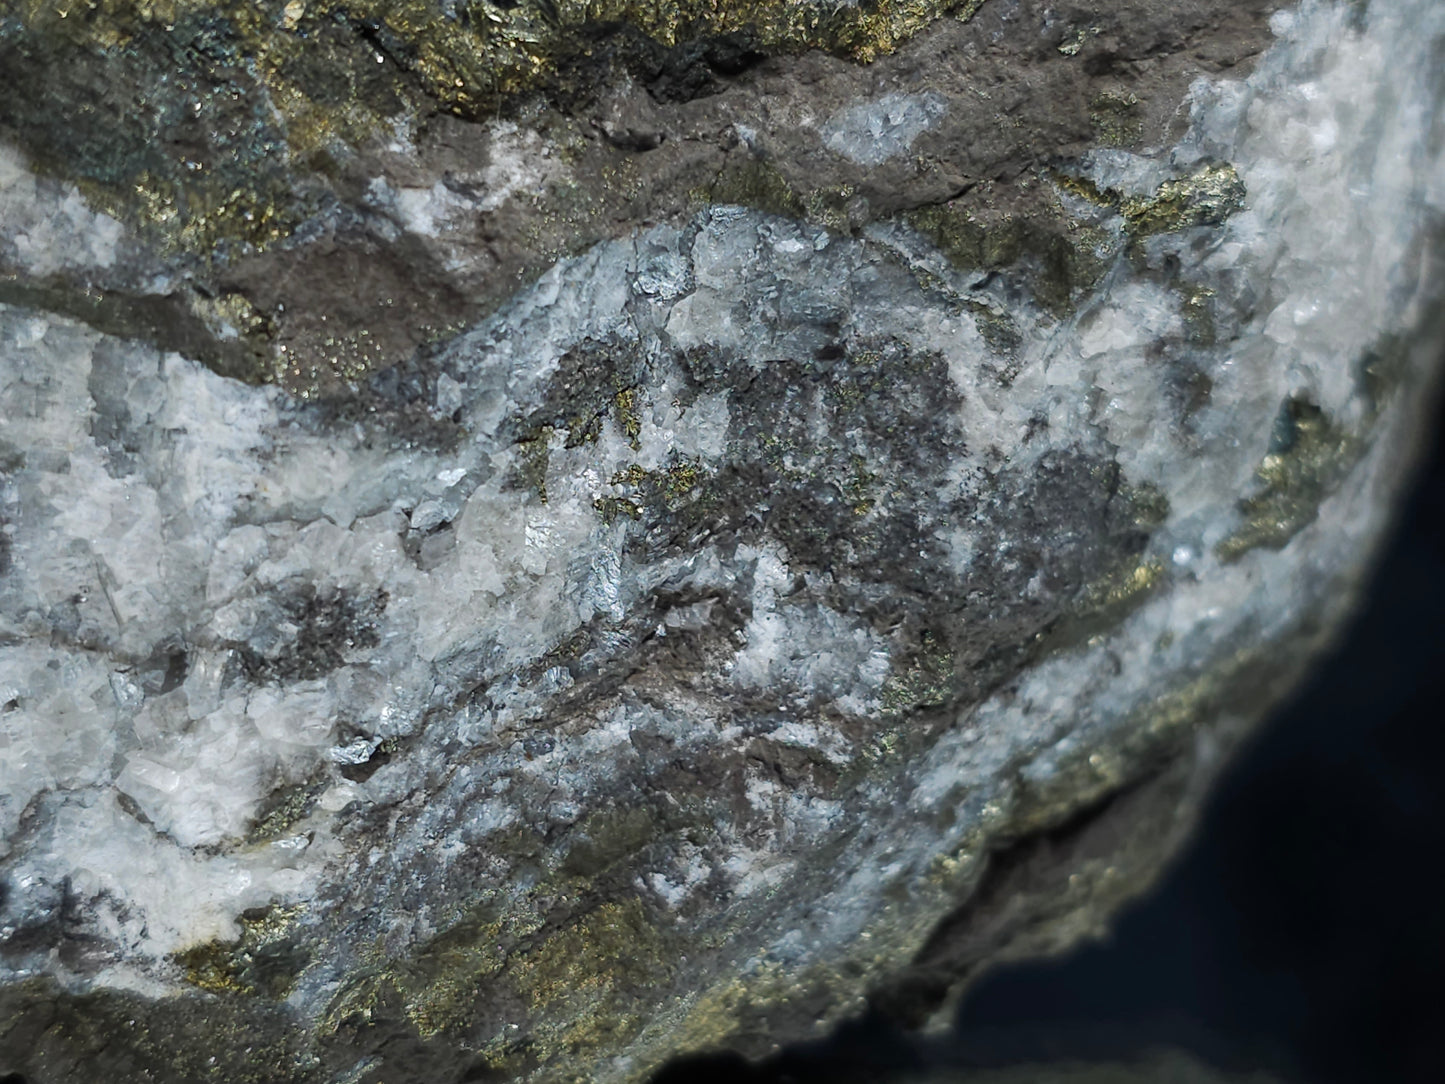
{"type": "Point", "coordinates": [541, 537]}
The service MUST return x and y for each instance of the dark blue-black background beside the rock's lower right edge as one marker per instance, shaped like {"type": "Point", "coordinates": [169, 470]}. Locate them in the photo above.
{"type": "Point", "coordinates": [1304, 929]}
